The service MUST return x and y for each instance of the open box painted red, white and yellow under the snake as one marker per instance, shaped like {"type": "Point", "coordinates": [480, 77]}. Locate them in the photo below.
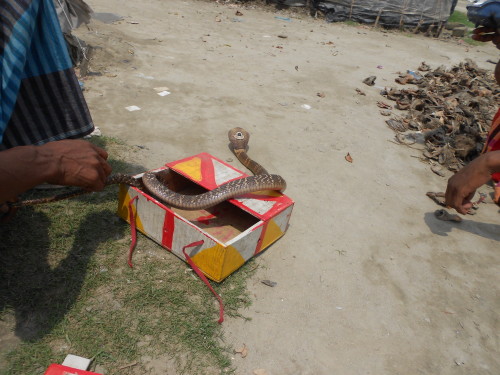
{"type": "Point", "coordinates": [232, 232]}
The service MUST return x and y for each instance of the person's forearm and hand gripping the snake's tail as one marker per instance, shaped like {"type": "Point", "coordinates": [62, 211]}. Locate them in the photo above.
{"type": "Point", "coordinates": [68, 162]}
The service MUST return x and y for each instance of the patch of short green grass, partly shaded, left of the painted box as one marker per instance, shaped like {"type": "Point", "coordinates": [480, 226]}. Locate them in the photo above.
{"type": "Point", "coordinates": [63, 275]}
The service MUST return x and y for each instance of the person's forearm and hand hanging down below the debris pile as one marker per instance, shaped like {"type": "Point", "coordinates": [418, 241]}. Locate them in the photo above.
{"type": "Point", "coordinates": [462, 186]}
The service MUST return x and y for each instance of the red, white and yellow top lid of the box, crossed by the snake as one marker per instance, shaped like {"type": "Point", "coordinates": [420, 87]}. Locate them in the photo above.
{"type": "Point", "coordinates": [211, 172]}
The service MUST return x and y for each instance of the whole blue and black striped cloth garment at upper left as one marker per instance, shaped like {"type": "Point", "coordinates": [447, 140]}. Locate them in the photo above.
{"type": "Point", "coordinates": [41, 99]}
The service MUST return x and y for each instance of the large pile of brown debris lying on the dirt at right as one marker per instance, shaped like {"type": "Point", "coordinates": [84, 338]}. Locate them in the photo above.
{"type": "Point", "coordinates": [449, 110]}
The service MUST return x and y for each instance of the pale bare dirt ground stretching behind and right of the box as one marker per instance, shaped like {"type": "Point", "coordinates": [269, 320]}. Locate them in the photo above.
{"type": "Point", "coordinates": [368, 280]}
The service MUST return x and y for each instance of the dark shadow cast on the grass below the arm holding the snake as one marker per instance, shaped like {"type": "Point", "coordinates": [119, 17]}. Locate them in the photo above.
{"type": "Point", "coordinates": [39, 294]}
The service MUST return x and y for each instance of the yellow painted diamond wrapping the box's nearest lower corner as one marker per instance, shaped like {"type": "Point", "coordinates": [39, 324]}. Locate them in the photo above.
{"type": "Point", "coordinates": [218, 261]}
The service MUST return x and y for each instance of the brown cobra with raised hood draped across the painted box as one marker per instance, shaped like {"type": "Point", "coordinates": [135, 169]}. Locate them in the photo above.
{"type": "Point", "coordinates": [238, 139]}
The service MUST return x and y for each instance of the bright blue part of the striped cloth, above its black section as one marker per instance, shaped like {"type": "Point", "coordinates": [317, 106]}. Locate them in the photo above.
{"type": "Point", "coordinates": [33, 45]}
